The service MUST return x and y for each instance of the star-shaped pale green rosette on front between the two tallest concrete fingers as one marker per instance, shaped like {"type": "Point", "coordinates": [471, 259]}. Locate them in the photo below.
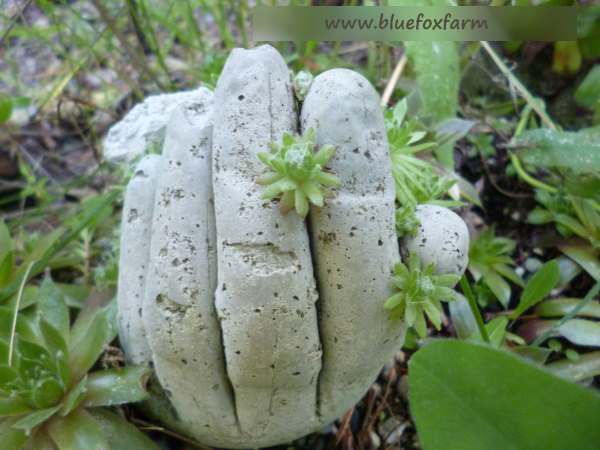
{"type": "Point", "coordinates": [297, 174]}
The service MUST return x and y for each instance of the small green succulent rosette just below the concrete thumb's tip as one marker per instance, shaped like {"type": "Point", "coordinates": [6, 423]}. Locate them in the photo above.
{"type": "Point", "coordinates": [420, 293]}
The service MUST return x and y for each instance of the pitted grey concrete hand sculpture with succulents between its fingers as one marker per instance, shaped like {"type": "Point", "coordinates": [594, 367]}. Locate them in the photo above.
{"type": "Point", "coordinates": [263, 327]}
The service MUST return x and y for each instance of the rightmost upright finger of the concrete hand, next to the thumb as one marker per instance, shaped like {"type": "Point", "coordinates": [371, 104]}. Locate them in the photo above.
{"type": "Point", "coordinates": [354, 240]}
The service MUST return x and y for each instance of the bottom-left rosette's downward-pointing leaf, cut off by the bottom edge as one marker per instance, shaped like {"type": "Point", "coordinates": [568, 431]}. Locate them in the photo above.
{"type": "Point", "coordinates": [77, 431]}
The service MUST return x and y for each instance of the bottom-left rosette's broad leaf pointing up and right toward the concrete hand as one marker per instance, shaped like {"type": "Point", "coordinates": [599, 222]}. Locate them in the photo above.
{"type": "Point", "coordinates": [85, 350]}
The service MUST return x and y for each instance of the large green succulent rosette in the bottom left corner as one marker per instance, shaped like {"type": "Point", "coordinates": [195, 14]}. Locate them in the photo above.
{"type": "Point", "coordinates": [48, 400]}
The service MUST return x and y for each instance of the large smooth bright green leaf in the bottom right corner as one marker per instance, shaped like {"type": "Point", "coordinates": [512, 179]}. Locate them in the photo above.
{"type": "Point", "coordinates": [467, 396]}
